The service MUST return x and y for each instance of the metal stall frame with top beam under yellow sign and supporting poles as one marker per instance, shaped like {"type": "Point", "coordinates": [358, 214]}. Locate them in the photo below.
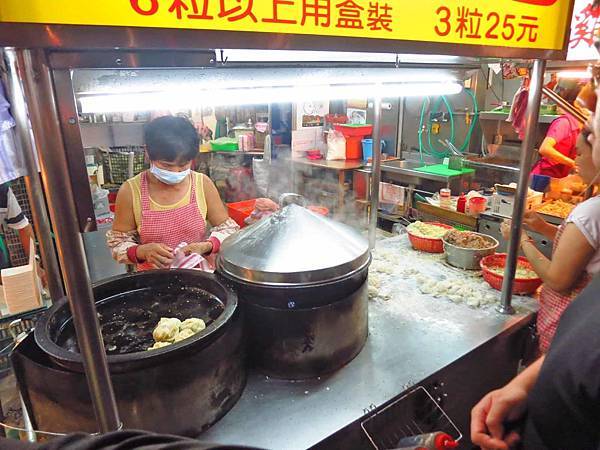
{"type": "Point", "coordinates": [49, 91]}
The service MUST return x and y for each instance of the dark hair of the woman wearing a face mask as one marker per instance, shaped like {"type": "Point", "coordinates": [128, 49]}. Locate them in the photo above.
{"type": "Point", "coordinates": [172, 139]}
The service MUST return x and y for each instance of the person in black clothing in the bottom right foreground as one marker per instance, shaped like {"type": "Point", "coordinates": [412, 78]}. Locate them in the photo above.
{"type": "Point", "coordinates": [558, 396]}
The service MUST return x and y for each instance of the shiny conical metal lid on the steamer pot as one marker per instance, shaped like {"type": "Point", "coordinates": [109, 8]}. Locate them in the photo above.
{"type": "Point", "coordinates": [294, 246]}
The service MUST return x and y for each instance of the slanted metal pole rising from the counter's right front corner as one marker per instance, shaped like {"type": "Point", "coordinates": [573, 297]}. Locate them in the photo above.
{"type": "Point", "coordinates": [527, 151]}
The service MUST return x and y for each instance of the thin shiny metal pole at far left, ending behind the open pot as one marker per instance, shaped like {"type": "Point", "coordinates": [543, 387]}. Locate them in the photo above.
{"type": "Point", "coordinates": [32, 181]}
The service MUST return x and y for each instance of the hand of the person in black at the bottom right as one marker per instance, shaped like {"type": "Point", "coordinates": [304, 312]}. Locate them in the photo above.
{"type": "Point", "coordinates": [490, 415]}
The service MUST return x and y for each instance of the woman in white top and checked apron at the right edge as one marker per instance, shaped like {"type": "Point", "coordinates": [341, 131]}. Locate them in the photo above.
{"type": "Point", "coordinates": [576, 252]}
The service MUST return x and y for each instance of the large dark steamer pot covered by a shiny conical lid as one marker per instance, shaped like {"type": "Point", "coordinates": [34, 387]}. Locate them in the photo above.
{"type": "Point", "coordinates": [301, 279]}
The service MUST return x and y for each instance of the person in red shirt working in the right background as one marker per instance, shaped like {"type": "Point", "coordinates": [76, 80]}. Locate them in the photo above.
{"type": "Point", "coordinates": [557, 152]}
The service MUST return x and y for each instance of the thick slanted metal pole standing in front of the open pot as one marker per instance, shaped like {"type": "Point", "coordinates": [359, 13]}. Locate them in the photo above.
{"type": "Point", "coordinates": [39, 90]}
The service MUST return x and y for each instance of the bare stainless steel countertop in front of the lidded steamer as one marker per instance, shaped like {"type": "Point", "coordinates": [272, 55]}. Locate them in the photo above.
{"type": "Point", "coordinates": [411, 337]}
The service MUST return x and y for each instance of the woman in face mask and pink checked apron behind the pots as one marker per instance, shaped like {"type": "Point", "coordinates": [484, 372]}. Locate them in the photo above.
{"type": "Point", "coordinates": [162, 214]}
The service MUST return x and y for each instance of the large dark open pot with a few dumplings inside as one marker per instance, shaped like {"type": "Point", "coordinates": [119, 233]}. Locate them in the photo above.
{"type": "Point", "coordinates": [181, 389]}
